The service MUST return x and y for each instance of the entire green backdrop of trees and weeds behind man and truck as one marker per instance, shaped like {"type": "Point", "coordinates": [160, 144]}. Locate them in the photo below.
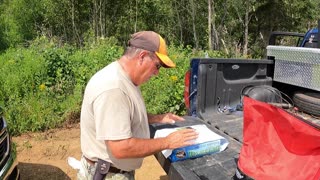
{"type": "Point", "coordinates": [50, 49]}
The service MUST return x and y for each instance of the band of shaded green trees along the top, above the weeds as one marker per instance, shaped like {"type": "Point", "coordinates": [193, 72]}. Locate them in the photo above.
{"type": "Point", "coordinates": [180, 22]}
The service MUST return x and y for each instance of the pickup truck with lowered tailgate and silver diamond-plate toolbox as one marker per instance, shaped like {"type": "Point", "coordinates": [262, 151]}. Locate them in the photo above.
{"type": "Point", "coordinates": [213, 97]}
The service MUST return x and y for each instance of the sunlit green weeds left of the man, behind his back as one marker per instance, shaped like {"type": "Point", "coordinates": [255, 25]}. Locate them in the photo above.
{"type": "Point", "coordinates": [41, 87]}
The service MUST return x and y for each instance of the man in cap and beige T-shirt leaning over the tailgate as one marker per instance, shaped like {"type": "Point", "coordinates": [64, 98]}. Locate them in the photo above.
{"type": "Point", "coordinates": [114, 121]}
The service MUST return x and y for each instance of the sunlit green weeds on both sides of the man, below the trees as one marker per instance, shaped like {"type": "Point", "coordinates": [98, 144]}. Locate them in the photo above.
{"type": "Point", "coordinates": [42, 85]}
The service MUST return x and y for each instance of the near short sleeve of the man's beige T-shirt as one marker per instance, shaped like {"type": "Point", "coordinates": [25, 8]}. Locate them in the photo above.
{"type": "Point", "coordinates": [112, 115]}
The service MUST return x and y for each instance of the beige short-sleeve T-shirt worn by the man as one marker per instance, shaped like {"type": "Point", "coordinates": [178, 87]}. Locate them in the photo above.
{"type": "Point", "coordinates": [112, 109]}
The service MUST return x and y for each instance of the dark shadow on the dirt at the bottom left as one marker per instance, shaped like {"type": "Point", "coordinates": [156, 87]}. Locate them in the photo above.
{"type": "Point", "coordinates": [41, 171]}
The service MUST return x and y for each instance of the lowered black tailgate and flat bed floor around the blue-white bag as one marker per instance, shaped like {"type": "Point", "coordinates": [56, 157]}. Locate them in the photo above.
{"type": "Point", "coordinates": [220, 166]}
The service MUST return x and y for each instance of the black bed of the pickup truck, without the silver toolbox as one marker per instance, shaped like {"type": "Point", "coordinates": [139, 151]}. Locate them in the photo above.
{"type": "Point", "coordinates": [216, 86]}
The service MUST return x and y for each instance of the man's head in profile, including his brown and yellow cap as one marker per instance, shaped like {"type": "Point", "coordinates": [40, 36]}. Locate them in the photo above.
{"type": "Point", "coordinates": [145, 55]}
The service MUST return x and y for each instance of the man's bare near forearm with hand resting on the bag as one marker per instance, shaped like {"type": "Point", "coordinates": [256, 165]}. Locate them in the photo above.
{"type": "Point", "coordinates": [137, 148]}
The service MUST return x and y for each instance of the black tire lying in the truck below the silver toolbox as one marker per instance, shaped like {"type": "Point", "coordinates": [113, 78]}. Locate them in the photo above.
{"type": "Point", "coordinates": [308, 102]}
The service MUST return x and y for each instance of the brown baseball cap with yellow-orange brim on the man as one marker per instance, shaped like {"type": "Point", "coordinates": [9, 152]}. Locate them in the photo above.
{"type": "Point", "coordinates": [152, 41]}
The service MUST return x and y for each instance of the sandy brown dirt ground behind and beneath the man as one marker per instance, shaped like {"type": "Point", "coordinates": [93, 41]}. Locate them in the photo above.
{"type": "Point", "coordinates": [44, 156]}
